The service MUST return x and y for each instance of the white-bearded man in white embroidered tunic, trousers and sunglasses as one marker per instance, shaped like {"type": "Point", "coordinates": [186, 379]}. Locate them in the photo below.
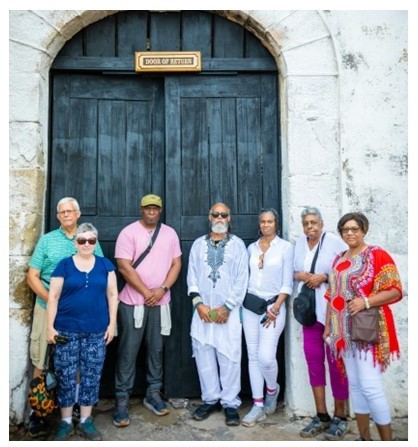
{"type": "Point", "coordinates": [217, 280]}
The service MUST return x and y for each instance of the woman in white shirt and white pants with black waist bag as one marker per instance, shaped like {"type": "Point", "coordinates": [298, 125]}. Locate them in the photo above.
{"type": "Point", "coordinates": [271, 275]}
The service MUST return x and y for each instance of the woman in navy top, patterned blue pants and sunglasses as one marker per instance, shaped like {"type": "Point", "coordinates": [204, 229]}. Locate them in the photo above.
{"type": "Point", "coordinates": [82, 307]}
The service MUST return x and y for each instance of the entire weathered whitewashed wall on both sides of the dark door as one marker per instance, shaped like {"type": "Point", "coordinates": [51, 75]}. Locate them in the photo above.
{"type": "Point", "coordinates": [343, 79]}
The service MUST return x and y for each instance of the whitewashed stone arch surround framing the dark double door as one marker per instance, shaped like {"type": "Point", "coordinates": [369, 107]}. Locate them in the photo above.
{"type": "Point", "coordinates": [303, 48]}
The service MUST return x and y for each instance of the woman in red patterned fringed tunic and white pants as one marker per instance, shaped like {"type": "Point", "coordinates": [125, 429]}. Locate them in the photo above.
{"type": "Point", "coordinates": [363, 276]}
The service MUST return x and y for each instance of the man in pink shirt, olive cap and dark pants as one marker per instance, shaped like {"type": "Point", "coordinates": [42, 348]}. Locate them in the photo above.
{"type": "Point", "coordinates": [144, 304]}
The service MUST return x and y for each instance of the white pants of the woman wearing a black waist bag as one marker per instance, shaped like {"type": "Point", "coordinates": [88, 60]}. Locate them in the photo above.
{"type": "Point", "coordinates": [262, 349]}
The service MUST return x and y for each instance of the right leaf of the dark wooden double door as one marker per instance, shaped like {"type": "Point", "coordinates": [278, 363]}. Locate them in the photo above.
{"type": "Point", "coordinates": [221, 145]}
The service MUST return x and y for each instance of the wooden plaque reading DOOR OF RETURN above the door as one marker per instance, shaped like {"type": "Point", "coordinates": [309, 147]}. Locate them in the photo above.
{"type": "Point", "coordinates": [147, 61]}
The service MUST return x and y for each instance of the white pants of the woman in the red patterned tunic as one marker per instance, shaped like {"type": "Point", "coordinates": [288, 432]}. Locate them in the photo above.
{"type": "Point", "coordinates": [366, 386]}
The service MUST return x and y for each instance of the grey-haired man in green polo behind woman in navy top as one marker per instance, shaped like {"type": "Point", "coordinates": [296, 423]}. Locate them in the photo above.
{"type": "Point", "coordinates": [50, 249]}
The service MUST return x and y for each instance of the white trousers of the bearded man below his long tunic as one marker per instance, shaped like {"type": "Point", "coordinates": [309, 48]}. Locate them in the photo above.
{"type": "Point", "coordinates": [225, 385]}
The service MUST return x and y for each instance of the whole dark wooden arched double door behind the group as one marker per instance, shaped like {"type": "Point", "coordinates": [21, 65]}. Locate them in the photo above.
{"type": "Point", "coordinates": [194, 139]}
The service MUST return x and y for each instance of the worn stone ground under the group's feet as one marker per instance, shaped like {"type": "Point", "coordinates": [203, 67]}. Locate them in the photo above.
{"type": "Point", "coordinates": [178, 425]}
